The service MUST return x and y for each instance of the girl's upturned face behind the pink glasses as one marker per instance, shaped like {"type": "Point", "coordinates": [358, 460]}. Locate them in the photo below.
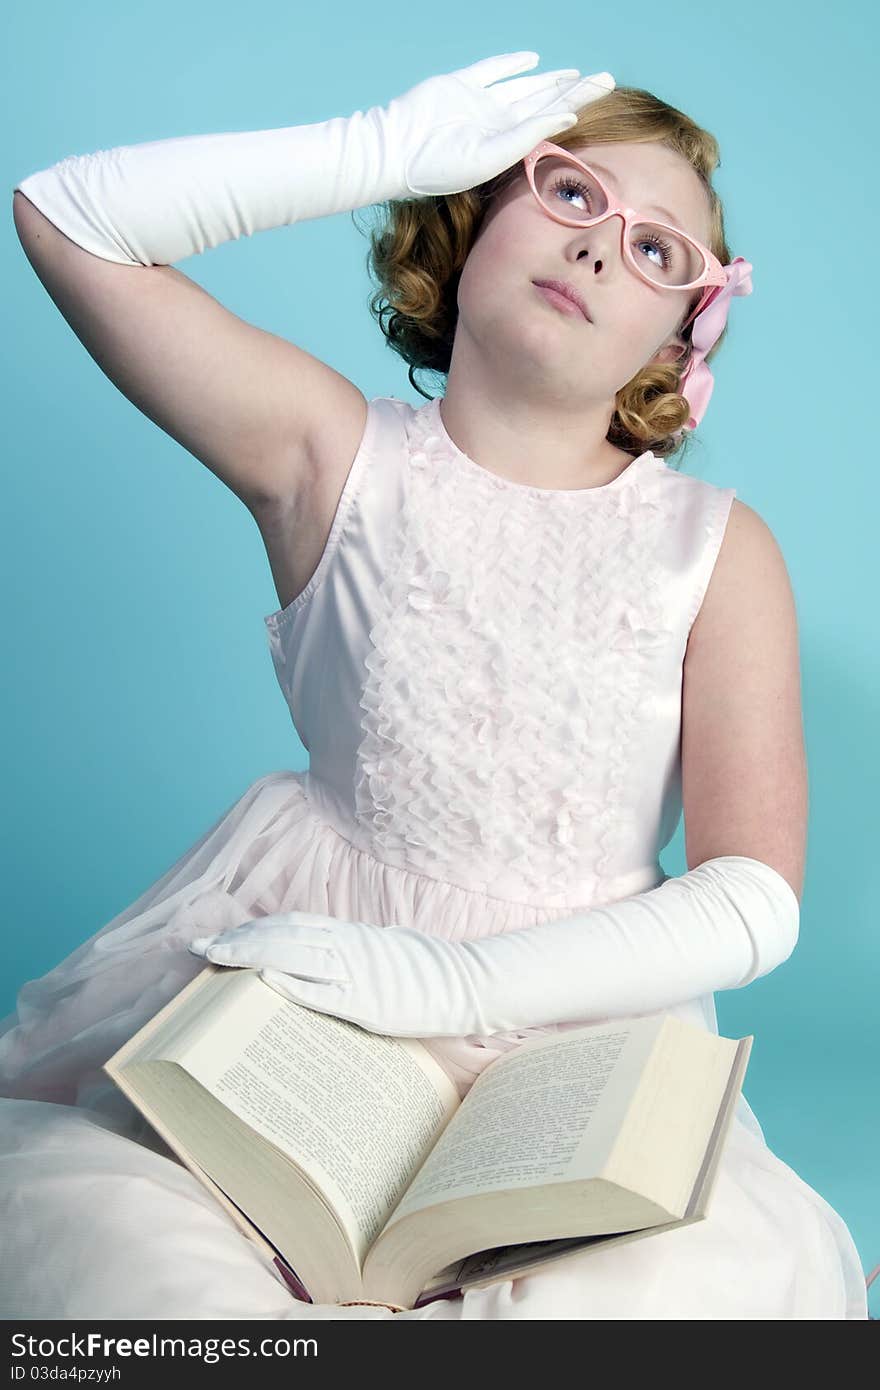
{"type": "Point", "coordinates": [543, 352]}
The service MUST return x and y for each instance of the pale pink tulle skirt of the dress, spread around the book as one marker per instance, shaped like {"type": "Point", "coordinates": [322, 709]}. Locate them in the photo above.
{"type": "Point", "coordinates": [102, 1221]}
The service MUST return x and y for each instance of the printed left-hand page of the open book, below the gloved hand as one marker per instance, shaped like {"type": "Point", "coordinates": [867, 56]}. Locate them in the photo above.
{"type": "Point", "coordinates": [357, 1111]}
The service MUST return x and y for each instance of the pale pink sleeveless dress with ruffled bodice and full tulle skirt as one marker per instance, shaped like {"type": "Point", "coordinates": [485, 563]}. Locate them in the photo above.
{"type": "Point", "coordinates": [487, 678]}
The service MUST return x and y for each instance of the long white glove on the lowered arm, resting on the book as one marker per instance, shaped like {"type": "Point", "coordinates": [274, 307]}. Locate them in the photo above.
{"type": "Point", "coordinates": [719, 926]}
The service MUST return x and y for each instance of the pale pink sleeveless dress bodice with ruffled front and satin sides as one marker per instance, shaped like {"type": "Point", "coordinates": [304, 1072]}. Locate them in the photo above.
{"type": "Point", "coordinates": [489, 676]}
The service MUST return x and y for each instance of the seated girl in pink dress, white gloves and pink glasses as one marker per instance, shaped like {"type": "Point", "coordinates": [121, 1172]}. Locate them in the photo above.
{"type": "Point", "coordinates": [515, 641]}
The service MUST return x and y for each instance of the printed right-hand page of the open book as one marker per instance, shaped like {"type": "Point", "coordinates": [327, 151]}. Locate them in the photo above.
{"type": "Point", "coordinates": [547, 1113]}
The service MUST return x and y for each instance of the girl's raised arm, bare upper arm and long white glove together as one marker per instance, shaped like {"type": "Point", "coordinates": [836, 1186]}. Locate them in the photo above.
{"type": "Point", "coordinates": [104, 230]}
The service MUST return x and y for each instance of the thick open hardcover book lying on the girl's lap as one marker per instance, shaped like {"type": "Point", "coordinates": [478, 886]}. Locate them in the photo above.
{"type": "Point", "coordinates": [357, 1168]}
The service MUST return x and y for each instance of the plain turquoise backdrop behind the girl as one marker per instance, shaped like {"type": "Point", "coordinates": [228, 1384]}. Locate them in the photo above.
{"type": "Point", "coordinates": [140, 700]}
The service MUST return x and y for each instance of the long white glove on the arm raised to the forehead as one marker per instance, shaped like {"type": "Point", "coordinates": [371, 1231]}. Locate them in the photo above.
{"type": "Point", "coordinates": [162, 201]}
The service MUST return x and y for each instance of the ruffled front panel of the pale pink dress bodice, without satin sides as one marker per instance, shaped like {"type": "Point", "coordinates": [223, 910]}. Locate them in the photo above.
{"type": "Point", "coordinates": [512, 672]}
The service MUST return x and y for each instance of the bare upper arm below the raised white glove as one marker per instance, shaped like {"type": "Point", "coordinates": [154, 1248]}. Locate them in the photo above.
{"type": "Point", "coordinates": [243, 401]}
